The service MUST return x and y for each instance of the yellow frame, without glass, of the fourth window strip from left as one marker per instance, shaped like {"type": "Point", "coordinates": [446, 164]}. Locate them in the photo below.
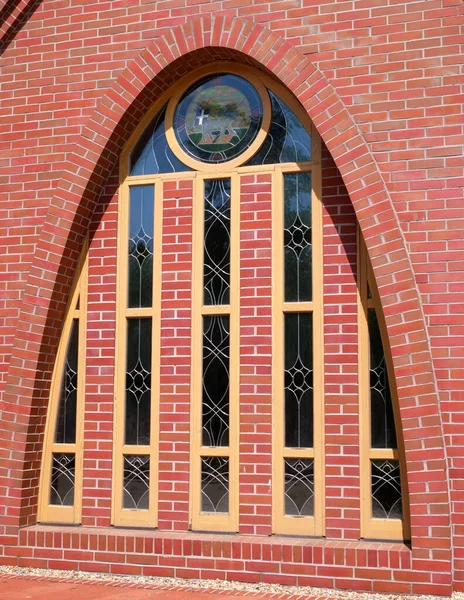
{"type": "Point", "coordinates": [282, 523]}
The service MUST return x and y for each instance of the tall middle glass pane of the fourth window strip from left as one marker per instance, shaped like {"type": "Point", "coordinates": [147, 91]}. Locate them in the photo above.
{"type": "Point", "coordinates": [298, 380]}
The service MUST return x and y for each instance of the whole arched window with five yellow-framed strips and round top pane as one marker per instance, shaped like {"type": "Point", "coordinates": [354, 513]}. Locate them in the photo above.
{"type": "Point", "coordinates": [219, 327]}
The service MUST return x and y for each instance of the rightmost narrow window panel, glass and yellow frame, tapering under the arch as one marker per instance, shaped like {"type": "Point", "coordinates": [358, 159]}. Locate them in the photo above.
{"type": "Point", "coordinates": [384, 506]}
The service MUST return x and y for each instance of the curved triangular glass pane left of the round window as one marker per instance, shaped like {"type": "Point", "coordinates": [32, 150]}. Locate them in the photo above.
{"type": "Point", "coordinates": [152, 154]}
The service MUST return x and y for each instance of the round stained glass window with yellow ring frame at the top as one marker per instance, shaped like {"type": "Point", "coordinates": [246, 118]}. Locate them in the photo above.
{"type": "Point", "coordinates": [220, 121]}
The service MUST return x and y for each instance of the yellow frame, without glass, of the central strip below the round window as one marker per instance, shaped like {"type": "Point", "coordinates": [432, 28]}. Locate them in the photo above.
{"type": "Point", "coordinates": [202, 520]}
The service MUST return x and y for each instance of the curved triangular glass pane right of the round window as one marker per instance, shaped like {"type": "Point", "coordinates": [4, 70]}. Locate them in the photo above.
{"type": "Point", "coordinates": [287, 140]}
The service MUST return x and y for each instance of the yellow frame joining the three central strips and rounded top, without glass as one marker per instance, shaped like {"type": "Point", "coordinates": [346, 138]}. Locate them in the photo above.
{"type": "Point", "coordinates": [233, 170]}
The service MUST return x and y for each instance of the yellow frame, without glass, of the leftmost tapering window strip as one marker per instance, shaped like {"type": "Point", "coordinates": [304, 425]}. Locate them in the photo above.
{"type": "Point", "coordinates": [76, 310]}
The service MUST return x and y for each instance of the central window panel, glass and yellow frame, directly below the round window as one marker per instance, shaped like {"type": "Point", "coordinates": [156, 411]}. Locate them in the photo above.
{"type": "Point", "coordinates": [215, 356]}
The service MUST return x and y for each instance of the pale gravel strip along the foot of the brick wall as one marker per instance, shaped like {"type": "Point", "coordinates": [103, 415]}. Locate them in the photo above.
{"type": "Point", "coordinates": [169, 582]}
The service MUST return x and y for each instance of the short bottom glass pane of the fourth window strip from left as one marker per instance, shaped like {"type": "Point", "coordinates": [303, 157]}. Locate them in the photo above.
{"type": "Point", "coordinates": [299, 487]}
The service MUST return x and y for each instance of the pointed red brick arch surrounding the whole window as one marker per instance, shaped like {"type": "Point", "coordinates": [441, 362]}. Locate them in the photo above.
{"type": "Point", "coordinates": [176, 51]}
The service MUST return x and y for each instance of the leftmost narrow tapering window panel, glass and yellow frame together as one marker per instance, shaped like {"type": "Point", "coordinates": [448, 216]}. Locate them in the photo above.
{"type": "Point", "coordinates": [60, 491]}
